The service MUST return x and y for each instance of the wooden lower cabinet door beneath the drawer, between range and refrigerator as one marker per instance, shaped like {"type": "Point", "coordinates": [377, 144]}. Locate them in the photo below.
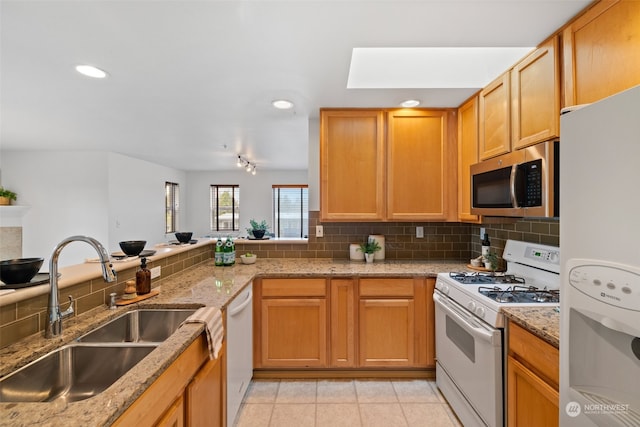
{"type": "Point", "coordinates": [531, 402]}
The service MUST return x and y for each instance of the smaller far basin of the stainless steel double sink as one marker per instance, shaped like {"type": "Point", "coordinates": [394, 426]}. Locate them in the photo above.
{"type": "Point", "coordinates": [145, 325]}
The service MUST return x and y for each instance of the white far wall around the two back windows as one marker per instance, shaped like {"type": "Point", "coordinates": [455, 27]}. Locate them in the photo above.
{"type": "Point", "coordinates": [255, 195]}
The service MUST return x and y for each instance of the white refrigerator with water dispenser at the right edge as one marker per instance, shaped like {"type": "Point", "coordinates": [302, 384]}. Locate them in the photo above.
{"type": "Point", "coordinates": [600, 241]}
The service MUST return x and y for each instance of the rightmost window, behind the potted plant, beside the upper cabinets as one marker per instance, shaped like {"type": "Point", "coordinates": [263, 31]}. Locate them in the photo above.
{"type": "Point", "coordinates": [290, 210]}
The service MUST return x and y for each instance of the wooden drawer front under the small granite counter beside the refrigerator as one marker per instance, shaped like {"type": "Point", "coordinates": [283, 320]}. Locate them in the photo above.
{"type": "Point", "coordinates": [534, 352]}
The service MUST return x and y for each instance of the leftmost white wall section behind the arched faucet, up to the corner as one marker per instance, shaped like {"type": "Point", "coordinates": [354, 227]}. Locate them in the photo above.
{"type": "Point", "coordinates": [67, 195]}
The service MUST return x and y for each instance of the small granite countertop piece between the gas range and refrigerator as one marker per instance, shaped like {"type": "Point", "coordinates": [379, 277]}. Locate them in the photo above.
{"type": "Point", "coordinates": [543, 322]}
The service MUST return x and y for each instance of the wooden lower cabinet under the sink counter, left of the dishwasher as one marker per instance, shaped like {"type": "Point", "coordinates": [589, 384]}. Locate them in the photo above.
{"type": "Point", "coordinates": [188, 393]}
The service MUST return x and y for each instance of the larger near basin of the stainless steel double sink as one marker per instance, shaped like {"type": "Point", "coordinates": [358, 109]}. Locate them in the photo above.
{"type": "Point", "coordinates": [73, 372]}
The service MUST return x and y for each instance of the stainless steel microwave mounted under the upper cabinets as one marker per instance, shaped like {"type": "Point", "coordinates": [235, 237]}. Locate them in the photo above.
{"type": "Point", "coordinates": [523, 183]}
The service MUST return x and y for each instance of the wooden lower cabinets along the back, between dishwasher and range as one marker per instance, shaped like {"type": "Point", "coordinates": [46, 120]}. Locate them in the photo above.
{"type": "Point", "coordinates": [344, 323]}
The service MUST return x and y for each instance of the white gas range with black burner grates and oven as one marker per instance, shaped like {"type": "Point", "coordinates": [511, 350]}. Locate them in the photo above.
{"type": "Point", "coordinates": [469, 327]}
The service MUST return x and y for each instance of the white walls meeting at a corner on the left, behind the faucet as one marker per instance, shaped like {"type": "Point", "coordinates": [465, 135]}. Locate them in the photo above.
{"type": "Point", "coordinates": [107, 196]}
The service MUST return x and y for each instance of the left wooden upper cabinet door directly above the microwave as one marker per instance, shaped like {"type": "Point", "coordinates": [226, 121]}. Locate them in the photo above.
{"type": "Point", "coordinates": [495, 133]}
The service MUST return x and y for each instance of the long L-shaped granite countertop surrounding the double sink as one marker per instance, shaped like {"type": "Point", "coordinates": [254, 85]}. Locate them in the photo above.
{"type": "Point", "coordinates": [202, 285]}
